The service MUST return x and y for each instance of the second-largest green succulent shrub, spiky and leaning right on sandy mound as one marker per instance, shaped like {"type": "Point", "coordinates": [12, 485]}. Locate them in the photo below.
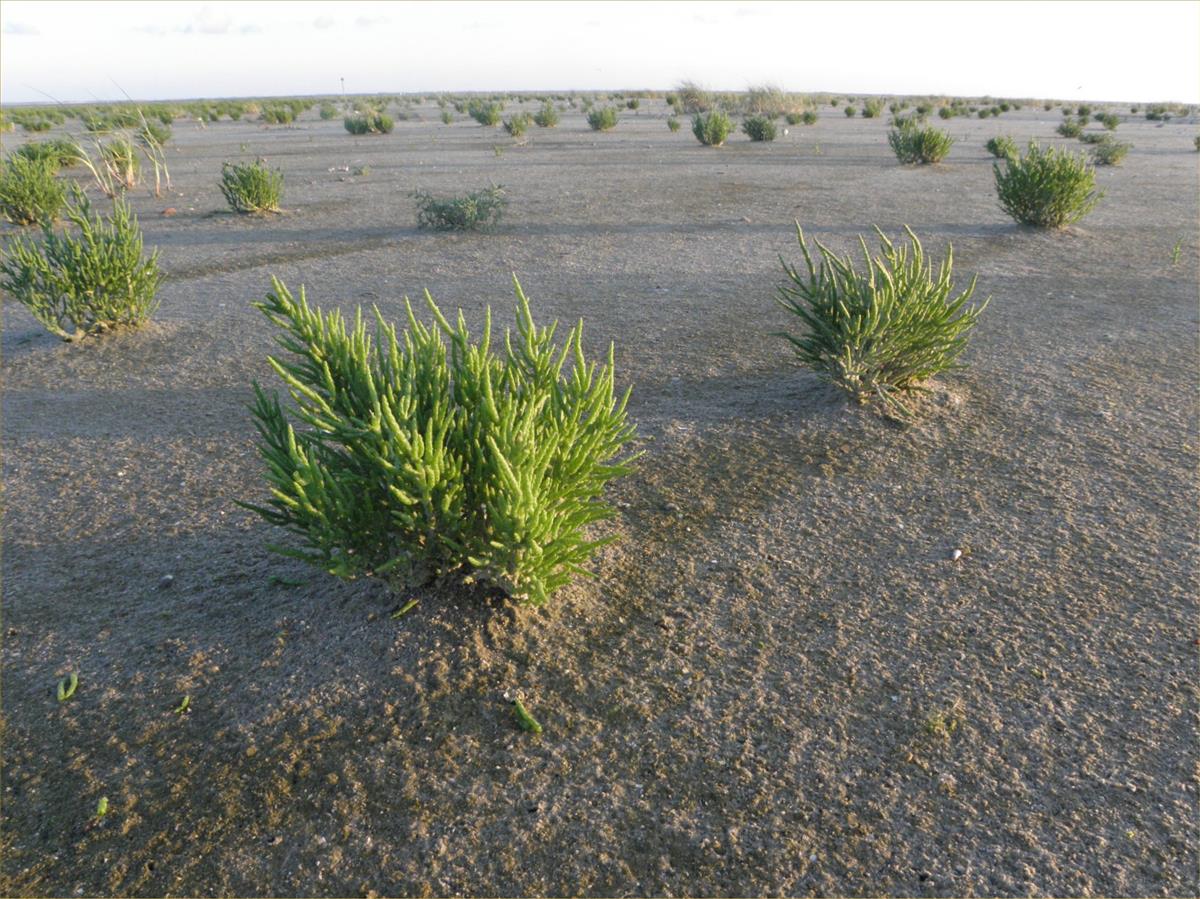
{"type": "Point", "coordinates": [883, 332]}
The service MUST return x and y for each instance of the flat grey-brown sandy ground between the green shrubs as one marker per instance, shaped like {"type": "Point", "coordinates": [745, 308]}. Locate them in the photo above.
{"type": "Point", "coordinates": [778, 684]}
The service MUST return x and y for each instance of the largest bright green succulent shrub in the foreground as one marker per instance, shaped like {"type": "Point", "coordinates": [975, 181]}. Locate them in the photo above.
{"type": "Point", "coordinates": [429, 456]}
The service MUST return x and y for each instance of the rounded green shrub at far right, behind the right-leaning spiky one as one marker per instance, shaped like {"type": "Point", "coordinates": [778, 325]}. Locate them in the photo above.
{"type": "Point", "coordinates": [1047, 189]}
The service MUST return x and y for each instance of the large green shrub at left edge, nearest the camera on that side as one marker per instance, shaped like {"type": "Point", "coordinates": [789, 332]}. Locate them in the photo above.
{"type": "Point", "coordinates": [89, 284]}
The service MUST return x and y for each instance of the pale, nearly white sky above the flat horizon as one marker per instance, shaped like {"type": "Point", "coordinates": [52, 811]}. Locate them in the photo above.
{"type": "Point", "coordinates": [152, 51]}
